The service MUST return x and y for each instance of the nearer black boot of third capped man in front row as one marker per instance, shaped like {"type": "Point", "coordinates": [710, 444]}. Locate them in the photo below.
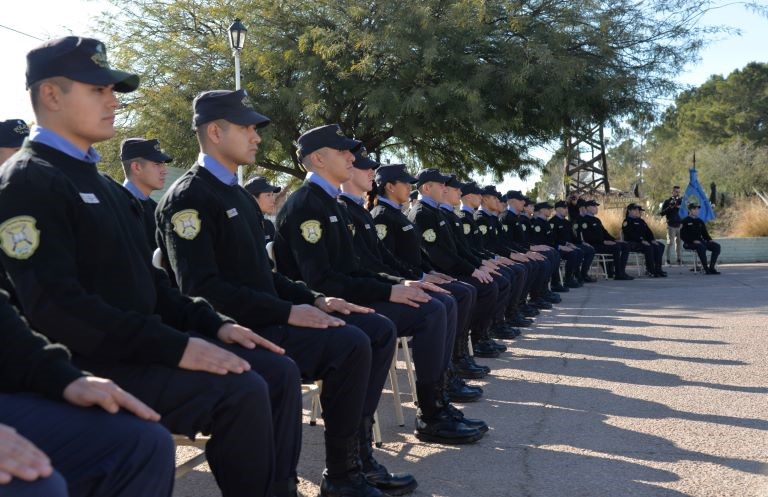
{"type": "Point", "coordinates": [435, 424]}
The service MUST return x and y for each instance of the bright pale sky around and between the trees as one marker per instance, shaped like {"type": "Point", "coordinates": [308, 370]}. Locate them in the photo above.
{"type": "Point", "coordinates": [53, 18]}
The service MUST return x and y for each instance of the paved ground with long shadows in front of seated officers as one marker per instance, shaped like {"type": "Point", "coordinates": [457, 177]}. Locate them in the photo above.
{"type": "Point", "coordinates": [649, 388]}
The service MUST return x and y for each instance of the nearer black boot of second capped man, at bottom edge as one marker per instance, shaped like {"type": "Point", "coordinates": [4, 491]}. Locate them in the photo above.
{"type": "Point", "coordinates": [343, 476]}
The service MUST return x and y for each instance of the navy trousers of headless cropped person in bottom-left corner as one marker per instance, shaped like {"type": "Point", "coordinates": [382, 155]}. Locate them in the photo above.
{"type": "Point", "coordinates": [93, 453]}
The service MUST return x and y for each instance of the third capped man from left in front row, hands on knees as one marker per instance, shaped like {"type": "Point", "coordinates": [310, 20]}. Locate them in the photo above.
{"type": "Point", "coordinates": [315, 245]}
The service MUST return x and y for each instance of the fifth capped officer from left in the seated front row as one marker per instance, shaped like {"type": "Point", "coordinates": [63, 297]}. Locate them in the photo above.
{"type": "Point", "coordinates": [402, 238]}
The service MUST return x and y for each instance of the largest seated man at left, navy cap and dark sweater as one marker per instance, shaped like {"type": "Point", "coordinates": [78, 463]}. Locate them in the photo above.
{"type": "Point", "coordinates": [73, 244]}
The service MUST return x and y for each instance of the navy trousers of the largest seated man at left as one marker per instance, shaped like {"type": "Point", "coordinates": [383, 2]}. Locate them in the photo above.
{"type": "Point", "coordinates": [252, 445]}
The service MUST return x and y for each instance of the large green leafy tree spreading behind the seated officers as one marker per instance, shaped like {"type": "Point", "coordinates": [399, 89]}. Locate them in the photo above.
{"type": "Point", "coordinates": [467, 85]}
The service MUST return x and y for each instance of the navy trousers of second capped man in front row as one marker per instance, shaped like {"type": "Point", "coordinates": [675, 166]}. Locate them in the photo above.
{"type": "Point", "coordinates": [352, 360]}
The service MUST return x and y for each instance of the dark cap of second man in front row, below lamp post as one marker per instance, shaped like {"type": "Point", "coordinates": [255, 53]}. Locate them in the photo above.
{"type": "Point", "coordinates": [233, 106]}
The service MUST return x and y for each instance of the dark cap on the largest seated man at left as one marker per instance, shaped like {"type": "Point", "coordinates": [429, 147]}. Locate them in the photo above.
{"type": "Point", "coordinates": [79, 59]}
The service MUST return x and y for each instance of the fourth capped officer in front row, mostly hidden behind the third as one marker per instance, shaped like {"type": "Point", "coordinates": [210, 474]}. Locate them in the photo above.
{"type": "Point", "coordinates": [371, 252]}
